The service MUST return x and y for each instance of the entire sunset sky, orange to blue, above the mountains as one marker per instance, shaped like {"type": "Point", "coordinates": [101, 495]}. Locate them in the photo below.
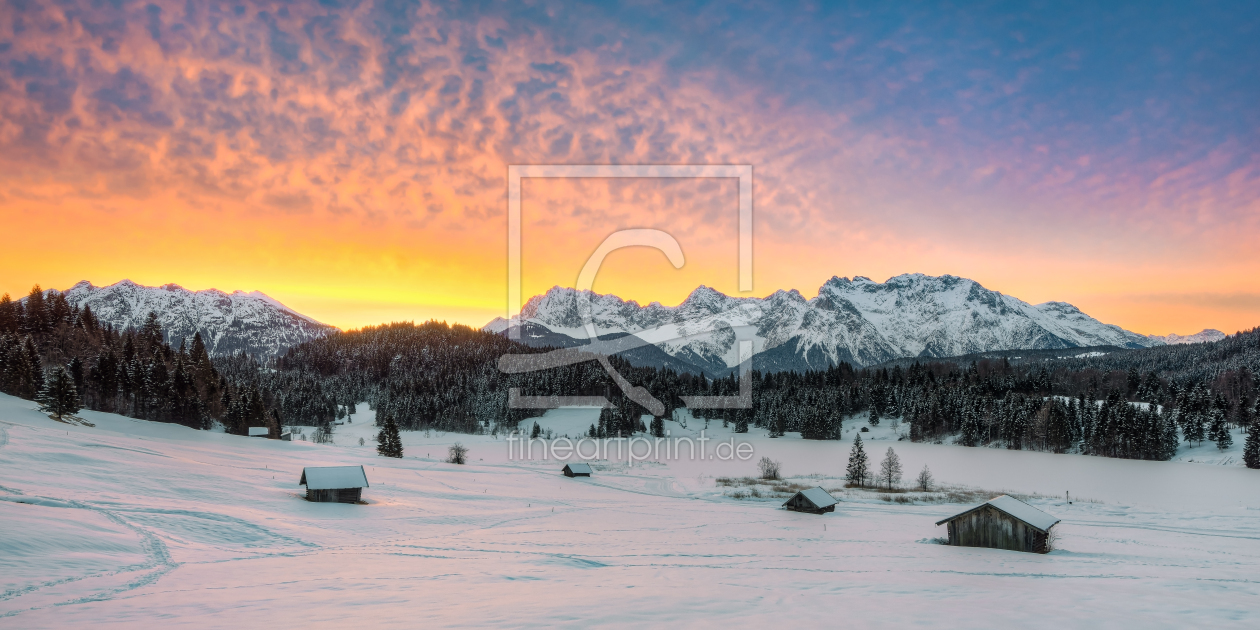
{"type": "Point", "coordinates": [350, 158]}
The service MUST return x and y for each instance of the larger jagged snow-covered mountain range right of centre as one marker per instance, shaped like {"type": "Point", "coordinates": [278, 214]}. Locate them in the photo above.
{"type": "Point", "coordinates": [859, 321]}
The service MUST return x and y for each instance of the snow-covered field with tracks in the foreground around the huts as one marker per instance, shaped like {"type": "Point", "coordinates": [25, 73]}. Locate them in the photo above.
{"type": "Point", "coordinates": [139, 525]}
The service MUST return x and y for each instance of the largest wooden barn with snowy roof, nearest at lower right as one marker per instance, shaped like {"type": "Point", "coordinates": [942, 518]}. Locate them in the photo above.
{"type": "Point", "coordinates": [1002, 524]}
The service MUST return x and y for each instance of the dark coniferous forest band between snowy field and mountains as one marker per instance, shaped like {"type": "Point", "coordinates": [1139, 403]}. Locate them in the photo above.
{"type": "Point", "coordinates": [1130, 404]}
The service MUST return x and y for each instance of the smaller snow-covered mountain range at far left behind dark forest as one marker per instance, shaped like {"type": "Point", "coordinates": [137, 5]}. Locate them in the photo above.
{"type": "Point", "coordinates": [229, 323]}
